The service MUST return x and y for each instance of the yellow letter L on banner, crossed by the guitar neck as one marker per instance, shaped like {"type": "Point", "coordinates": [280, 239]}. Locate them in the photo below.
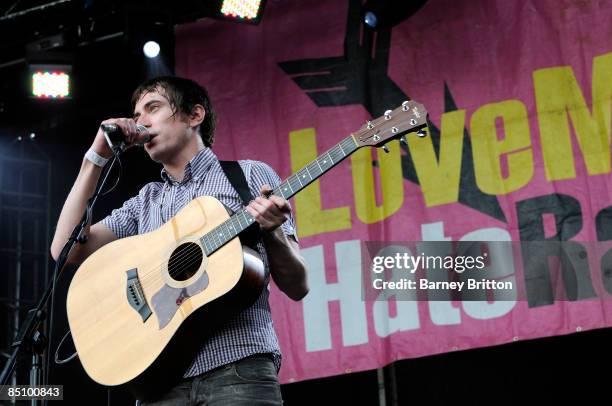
{"type": "Point", "coordinates": [311, 218]}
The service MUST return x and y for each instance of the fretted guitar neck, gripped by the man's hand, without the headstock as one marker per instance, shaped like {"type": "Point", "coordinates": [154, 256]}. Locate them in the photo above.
{"type": "Point", "coordinates": [241, 220]}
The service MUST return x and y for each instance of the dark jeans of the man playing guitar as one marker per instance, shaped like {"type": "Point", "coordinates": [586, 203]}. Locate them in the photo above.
{"type": "Point", "coordinates": [249, 381]}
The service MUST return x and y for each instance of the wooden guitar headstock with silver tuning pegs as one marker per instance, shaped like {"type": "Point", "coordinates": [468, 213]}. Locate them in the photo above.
{"type": "Point", "coordinates": [410, 116]}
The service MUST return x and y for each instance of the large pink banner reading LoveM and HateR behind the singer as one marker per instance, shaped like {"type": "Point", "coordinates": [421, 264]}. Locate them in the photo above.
{"type": "Point", "coordinates": [519, 99]}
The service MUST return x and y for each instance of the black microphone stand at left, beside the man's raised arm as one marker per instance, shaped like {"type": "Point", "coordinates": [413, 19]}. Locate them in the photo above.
{"type": "Point", "coordinates": [30, 338]}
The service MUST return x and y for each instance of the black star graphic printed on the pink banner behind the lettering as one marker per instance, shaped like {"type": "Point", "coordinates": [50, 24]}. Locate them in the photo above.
{"type": "Point", "coordinates": [358, 78]}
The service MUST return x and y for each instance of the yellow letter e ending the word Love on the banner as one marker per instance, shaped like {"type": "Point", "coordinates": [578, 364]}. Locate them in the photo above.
{"type": "Point", "coordinates": [488, 150]}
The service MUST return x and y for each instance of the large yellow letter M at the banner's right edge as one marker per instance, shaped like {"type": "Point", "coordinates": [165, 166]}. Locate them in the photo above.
{"type": "Point", "coordinates": [557, 93]}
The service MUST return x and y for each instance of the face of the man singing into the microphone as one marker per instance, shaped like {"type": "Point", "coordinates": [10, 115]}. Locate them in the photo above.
{"type": "Point", "coordinates": [153, 110]}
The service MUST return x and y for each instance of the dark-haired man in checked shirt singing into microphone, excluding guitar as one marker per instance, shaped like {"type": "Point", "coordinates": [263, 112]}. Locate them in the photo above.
{"type": "Point", "coordinates": [238, 361]}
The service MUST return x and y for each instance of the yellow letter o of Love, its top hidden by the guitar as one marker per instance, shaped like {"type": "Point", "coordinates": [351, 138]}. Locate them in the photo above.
{"type": "Point", "coordinates": [391, 183]}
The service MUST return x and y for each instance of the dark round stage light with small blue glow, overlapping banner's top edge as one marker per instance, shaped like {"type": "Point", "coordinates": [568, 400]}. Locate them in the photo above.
{"type": "Point", "coordinates": [378, 14]}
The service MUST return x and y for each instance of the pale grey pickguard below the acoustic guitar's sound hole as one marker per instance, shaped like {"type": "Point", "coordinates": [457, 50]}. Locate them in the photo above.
{"type": "Point", "coordinates": [168, 299]}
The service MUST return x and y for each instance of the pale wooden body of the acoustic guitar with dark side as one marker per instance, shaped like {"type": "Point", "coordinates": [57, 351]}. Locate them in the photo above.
{"type": "Point", "coordinates": [139, 308]}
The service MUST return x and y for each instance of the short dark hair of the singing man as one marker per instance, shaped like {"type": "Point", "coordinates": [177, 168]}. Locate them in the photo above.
{"type": "Point", "coordinates": [182, 94]}
